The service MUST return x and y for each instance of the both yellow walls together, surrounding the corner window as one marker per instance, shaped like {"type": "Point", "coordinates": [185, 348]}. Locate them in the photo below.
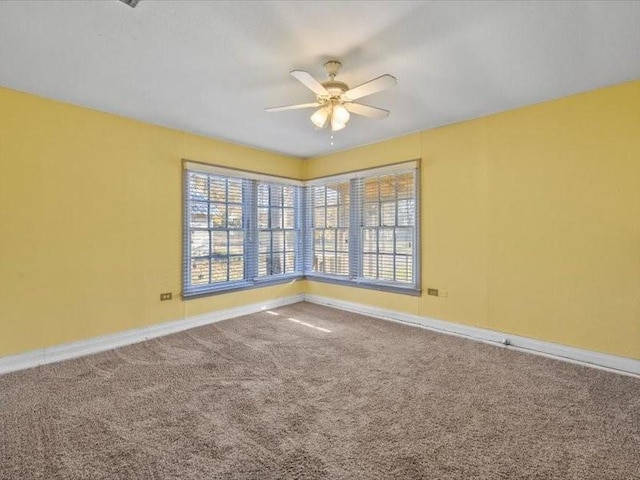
{"type": "Point", "coordinates": [530, 221]}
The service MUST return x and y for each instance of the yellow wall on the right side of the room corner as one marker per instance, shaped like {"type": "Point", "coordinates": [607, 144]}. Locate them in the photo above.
{"type": "Point", "coordinates": [530, 220]}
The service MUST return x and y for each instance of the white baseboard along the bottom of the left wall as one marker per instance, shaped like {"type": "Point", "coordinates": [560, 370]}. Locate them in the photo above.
{"type": "Point", "coordinates": [107, 342]}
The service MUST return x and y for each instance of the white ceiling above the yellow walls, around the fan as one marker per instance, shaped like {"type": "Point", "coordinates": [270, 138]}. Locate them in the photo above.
{"type": "Point", "coordinates": [212, 67]}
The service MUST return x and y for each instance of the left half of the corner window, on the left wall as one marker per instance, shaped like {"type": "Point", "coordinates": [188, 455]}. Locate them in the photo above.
{"type": "Point", "coordinates": [240, 229]}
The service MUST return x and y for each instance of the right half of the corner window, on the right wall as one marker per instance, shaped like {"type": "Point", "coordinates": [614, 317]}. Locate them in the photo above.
{"type": "Point", "coordinates": [362, 228]}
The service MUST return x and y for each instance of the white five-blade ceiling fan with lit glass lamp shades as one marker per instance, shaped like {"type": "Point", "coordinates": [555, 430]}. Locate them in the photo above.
{"type": "Point", "coordinates": [336, 99]}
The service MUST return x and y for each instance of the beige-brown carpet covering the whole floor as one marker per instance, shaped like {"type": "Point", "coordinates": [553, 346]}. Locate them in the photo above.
{"type": "Point", "coordinates": [266, 397]}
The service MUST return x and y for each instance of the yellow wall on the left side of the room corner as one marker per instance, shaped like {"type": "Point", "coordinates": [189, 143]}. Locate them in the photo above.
{"type": "Point", "coordinates": [90, 222]}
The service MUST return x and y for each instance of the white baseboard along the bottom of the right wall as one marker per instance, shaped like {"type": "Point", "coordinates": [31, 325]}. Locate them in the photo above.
{"type": "Point", "coordinates": [580, 356]}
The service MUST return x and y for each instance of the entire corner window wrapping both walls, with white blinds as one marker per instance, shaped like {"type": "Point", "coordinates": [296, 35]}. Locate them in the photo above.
{"type": "Point", "coordinates": [245, 229]}
